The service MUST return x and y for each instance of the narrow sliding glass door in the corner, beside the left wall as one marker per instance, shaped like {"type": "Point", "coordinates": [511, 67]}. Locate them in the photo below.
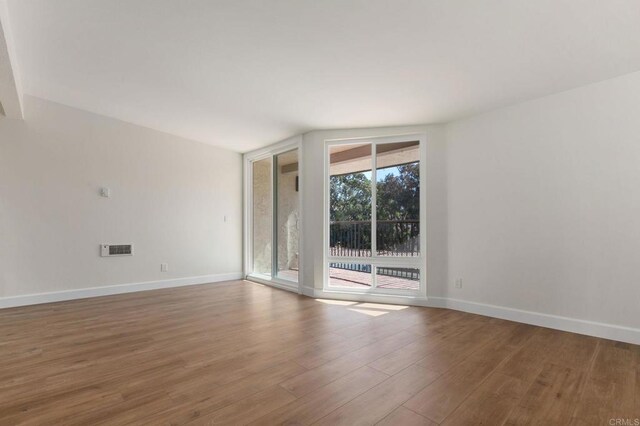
{"type": "Point", "coordinates": [275, 218]}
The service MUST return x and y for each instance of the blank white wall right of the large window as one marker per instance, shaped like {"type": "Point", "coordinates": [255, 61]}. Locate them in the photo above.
{"type": "Point", "coordinates": [544, 204]}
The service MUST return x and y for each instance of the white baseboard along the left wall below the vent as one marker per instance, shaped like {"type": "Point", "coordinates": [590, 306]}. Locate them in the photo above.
{"type": "Point", "coordinates": [59, 296]}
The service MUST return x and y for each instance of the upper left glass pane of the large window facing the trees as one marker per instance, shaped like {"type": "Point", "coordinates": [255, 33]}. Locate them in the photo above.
{"type": "Point", "coordinates": [350, 200]}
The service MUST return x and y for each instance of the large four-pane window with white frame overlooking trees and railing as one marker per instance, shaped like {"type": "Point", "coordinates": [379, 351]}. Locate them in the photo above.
{"type": "Point", "coordinates": [374, 216]}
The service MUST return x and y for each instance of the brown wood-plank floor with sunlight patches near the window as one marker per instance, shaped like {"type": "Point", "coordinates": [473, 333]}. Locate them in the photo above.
{"type": "Point", "coordinates": [241, 353]}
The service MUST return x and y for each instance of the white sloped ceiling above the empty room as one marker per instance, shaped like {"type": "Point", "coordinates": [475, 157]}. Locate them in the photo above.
{"type": "Point", "coordinates": [245, 73]}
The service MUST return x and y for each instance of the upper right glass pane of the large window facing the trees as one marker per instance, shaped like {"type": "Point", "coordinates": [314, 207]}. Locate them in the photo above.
{"type": "Point", "coordinates": [398, 199]}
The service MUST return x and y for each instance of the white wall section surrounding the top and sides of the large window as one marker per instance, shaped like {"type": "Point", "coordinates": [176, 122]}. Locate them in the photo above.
{"type": "Point", "coordinates": [313, 187]}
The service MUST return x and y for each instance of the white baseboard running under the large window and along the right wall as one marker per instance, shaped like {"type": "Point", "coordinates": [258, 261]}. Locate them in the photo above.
{"type": "Point", "coordinates": [573, 325]}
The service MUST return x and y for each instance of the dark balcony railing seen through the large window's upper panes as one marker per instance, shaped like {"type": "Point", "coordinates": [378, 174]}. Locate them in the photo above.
{"type": "Point", "coordinates": [393, 238]}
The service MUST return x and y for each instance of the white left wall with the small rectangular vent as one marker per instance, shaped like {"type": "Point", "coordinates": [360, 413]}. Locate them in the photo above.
{"type": "Point", "coordinates": [169, 197]}
